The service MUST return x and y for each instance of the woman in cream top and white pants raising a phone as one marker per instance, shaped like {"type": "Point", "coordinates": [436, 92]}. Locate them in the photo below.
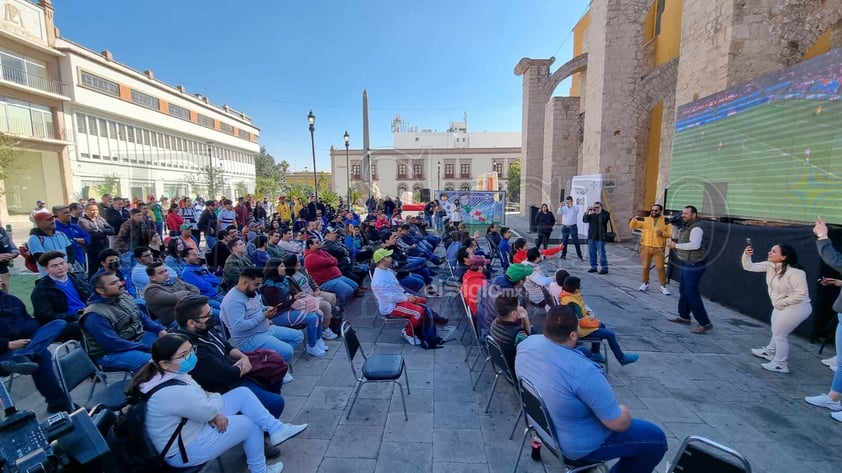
{"type": "Point", "coordinates": [787, 285]}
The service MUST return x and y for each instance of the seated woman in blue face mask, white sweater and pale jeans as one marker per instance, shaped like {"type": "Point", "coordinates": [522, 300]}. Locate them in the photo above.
{"type": "Point", "coordinates": [215, 422]}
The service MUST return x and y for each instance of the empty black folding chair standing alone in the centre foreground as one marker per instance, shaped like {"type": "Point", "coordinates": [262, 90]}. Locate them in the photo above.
{"type": "Point", "coordinates": [375, 368]}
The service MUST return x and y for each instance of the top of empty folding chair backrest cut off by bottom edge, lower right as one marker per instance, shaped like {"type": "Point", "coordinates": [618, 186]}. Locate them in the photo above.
{"type": "Point", "coordinates": [701, 455]}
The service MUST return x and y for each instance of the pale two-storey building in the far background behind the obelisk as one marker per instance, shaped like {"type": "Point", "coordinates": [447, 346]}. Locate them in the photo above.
{"type": "Point", "coordinates": [428, 159]}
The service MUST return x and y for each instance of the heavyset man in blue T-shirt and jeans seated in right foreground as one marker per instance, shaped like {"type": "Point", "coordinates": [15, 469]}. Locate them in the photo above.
{"type": "Point", "coordinates": [590, 424]}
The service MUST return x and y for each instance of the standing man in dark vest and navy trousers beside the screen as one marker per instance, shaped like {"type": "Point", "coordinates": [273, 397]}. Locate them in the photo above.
{"type": "Point", "coordinates": [691, 250]}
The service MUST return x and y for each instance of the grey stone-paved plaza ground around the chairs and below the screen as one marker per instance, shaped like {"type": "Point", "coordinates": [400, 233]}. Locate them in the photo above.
{"type": "Point", "coordinates": [707, 385]}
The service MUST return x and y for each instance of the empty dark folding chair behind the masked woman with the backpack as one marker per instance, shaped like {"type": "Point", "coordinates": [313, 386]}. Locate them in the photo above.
{"type": "Point", "coordinates": [74, 366]}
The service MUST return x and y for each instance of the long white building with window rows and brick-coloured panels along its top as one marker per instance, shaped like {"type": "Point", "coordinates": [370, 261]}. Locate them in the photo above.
{"type": "Point", "coordinates": [152, 137]}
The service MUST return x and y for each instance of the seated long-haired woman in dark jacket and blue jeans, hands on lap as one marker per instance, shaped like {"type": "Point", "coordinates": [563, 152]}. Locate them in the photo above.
{"type": "Point", "coordinates": [283, 293]}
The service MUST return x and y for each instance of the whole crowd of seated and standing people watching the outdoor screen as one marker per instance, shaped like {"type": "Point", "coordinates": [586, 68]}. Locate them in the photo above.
{"type": "Point", "coordinates": [183, 299]}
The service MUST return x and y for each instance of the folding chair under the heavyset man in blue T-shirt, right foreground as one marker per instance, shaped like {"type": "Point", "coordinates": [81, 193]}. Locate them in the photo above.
{"type": "Point", "coordinates": [539, 421]}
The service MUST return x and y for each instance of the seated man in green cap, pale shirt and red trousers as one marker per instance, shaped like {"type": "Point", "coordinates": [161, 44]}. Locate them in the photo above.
{"type": "Point", "coordinates": [392, 300]}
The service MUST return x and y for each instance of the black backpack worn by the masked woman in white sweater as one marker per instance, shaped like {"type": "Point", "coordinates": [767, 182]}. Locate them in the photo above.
{"type": "Point", "coordinates": [133, 451]}
